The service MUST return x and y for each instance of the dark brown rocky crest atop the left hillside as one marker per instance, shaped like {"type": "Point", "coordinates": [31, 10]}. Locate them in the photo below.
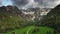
{"type": "Point", "coordinates": [13, 10]}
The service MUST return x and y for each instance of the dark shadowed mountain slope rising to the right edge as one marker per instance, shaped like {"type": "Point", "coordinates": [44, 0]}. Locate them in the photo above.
{"type": "Point", "coordinates": [52, 19]}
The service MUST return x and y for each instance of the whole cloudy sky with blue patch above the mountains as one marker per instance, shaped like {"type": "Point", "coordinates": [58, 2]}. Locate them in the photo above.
{"type": "Point", "coordinates": [24, 4]}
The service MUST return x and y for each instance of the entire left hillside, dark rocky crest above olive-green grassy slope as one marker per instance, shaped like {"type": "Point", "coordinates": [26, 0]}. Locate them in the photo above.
{"type": "Point", "coordinates": [9, 19]}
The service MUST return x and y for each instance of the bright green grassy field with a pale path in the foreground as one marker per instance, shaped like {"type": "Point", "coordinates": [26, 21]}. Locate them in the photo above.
{"type": "Point", "coordinates": [30, 30]}
